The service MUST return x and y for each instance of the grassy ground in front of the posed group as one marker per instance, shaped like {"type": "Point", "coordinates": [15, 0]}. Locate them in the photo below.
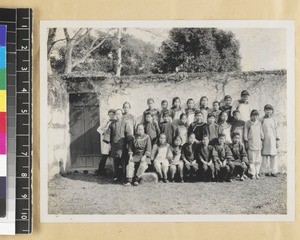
{"type": "Point", "coordinates": [87, 194]}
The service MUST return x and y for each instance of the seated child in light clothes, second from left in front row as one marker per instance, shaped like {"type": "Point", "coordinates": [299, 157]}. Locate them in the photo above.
{"type": "Point", "coordinates": [161, 155]}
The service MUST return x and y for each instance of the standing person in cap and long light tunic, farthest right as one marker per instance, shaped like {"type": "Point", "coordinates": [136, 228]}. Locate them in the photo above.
{"type": "Point", "coordinates": [270, 141]}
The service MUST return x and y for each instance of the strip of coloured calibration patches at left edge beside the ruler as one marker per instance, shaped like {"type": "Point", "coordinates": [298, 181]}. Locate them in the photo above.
{"type": "Point", "coordinates": [3, 125]}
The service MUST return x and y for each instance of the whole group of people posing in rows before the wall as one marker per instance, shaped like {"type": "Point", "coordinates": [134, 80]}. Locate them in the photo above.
{"type": "Point", "coordinates": [206, 144]}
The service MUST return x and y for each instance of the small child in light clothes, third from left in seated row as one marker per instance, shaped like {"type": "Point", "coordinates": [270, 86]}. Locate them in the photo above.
{"type": "Point", "coordinates": [176, 164]}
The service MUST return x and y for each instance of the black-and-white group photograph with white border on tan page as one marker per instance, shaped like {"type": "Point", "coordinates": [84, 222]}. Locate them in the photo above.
{"type": "Point", "coordinates": [167, 121]}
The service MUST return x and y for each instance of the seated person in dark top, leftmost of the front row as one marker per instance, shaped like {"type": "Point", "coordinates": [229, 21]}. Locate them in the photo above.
{"type": "Point", "coordinates": [139, 152]}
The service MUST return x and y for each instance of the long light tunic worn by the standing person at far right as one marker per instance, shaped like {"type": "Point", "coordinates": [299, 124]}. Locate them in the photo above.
{"type": "Point", "coordinates": [269, 130]}
